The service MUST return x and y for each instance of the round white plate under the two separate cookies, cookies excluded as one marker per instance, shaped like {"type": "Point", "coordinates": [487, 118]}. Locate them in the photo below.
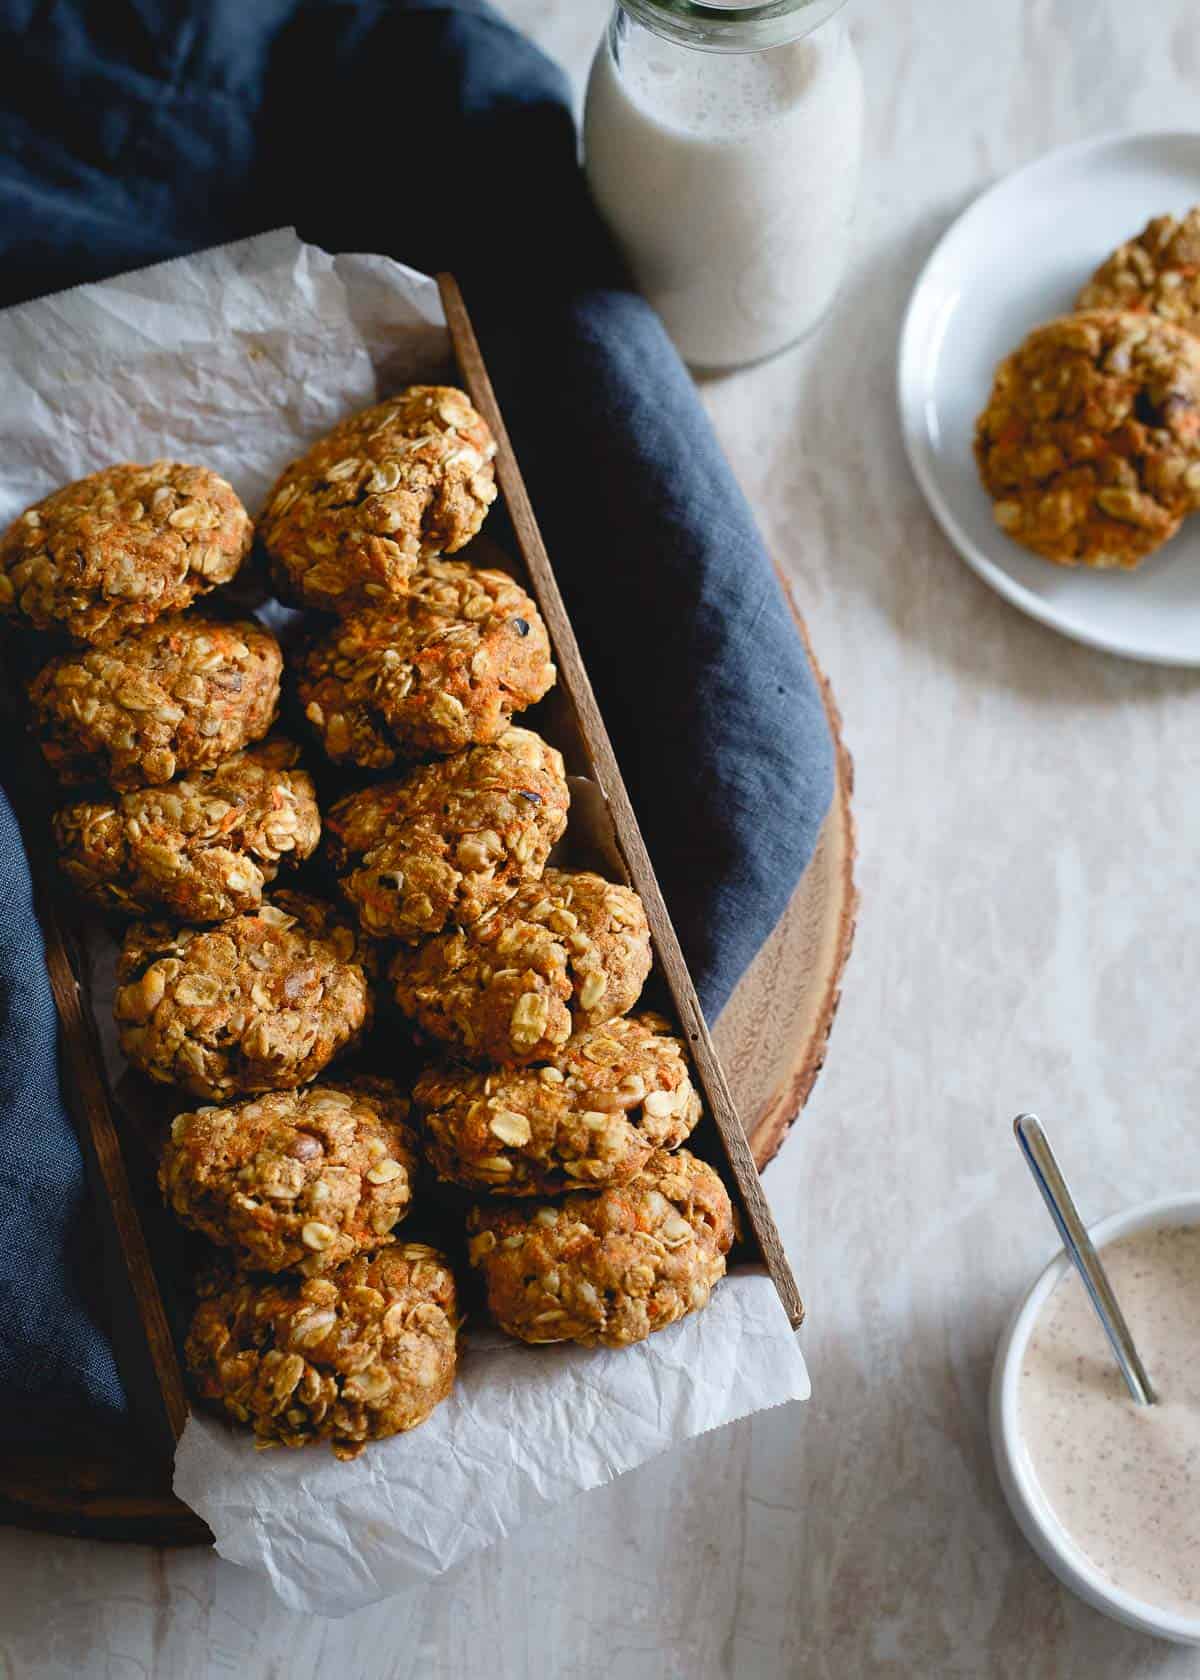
{"type": "Point", "coordinates": [1016, 258]}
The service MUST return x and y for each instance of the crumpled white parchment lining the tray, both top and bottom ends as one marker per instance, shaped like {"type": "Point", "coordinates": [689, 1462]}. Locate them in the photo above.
{"type": "Point", "coordinates": [236, 359]}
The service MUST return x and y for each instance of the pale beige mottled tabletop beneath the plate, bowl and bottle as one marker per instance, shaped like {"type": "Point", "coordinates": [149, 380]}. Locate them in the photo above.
{"type": "Point", "coordinates": [1028, 938]}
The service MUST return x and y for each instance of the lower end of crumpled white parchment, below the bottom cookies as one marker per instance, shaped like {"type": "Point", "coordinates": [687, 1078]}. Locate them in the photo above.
{"type": "Point", "coordinates": [525, 1429]}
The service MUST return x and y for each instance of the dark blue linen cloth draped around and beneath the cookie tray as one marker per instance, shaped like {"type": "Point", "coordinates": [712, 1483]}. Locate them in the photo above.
{"type": "Point", "coordinates": [436, 134]}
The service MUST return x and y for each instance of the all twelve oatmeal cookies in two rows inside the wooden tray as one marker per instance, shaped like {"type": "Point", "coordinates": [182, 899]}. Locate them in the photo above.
{"type": "Point", "coordinates": [552, 1105]}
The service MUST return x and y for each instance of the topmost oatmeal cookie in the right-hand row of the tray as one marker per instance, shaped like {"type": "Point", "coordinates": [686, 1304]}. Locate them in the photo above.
{"type": "Point", "coordinates": [392, 486]}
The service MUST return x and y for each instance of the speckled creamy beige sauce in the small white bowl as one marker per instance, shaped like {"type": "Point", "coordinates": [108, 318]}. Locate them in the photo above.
{"type": "Point", "coordinates": [1125, 1479]}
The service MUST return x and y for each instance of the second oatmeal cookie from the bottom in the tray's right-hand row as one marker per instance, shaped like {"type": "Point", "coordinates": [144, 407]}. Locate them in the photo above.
{"type": "Point", "coordinates": [591, 1116]}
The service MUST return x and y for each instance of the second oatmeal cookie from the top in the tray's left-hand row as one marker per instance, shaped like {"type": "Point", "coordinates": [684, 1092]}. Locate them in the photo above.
{"type": "Point", "coordinates": [181, 695]}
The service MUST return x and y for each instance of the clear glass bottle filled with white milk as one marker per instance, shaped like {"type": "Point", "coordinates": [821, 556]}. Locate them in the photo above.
{"type": "Point", "coordinates": [722, 145]}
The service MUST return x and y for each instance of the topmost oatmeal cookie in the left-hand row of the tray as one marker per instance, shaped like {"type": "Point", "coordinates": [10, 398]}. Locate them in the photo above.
{"type": "Point", "coordinates": [122, 549]}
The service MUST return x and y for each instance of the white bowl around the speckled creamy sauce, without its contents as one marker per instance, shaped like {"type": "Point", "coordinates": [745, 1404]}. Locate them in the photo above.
{"type": "Point", "coordinates": [1014, 1466]}
